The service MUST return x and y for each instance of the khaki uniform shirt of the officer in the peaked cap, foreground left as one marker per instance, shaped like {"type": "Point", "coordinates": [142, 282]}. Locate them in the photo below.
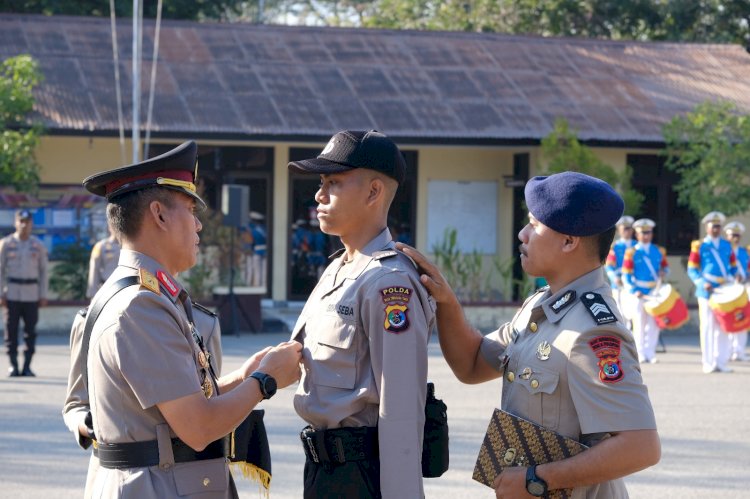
{"type": "Point", "coordinates": [142, 352]}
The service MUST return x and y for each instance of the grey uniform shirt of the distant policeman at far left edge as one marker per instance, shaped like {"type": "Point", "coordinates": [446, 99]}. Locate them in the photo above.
{"type": "Point", "coordinates": [23, 260]}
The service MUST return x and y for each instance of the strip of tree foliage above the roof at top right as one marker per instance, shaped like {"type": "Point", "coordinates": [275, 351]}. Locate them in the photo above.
{"type": "Point", "coordinates": [676, 20]}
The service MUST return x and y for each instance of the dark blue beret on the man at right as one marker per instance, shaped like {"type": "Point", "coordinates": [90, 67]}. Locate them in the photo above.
{"type": "Point", "coordinates": [573, 203]}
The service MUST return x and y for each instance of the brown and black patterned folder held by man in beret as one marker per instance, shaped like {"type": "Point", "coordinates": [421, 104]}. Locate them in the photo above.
{"type": "Point", "coordinates": [514, 441]}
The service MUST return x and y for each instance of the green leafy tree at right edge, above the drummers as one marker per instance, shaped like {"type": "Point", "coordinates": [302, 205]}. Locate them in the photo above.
{"type": "Point", "coordinates": [710, 149]}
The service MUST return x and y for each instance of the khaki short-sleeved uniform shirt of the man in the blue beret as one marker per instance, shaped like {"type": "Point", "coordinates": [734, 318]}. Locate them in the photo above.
{"type": "Point", "coordinates": [570, 371]}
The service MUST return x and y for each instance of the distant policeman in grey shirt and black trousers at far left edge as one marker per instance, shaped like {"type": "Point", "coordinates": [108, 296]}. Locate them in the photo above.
{"type": "Point", "coordinates": [23, 289]}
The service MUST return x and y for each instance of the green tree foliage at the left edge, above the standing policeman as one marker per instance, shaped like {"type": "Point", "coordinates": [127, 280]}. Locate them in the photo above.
{"type": "Point", "coordinates": [18, 139]}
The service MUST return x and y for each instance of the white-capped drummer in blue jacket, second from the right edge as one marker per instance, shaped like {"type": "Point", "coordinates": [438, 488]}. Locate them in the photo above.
{"type": "Point", "coordinates": [712, 263]}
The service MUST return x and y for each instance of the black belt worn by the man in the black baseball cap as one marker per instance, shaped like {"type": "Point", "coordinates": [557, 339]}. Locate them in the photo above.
{"type": "Point", "coordinates": [340, 445]}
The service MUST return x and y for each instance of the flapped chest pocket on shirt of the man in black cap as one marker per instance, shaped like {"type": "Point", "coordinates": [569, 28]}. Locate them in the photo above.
{"type": "Point", "coordinates": [333, 351]}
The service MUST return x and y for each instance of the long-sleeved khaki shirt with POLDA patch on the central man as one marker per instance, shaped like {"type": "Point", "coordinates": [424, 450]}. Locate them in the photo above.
{"type": "Point", "coordinates": [365, 330]}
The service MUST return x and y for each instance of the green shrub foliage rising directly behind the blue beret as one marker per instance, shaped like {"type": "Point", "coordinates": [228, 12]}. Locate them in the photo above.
{"type": "Point", "coordinates": [563, 152]}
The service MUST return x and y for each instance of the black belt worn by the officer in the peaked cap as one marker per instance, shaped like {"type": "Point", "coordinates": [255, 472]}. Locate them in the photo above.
{"type": "Point", "coordinates": [144, 454]}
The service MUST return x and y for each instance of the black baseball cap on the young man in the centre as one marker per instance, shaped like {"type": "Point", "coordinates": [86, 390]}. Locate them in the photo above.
{"type": "Point", "coordinates": [351, 149]}
